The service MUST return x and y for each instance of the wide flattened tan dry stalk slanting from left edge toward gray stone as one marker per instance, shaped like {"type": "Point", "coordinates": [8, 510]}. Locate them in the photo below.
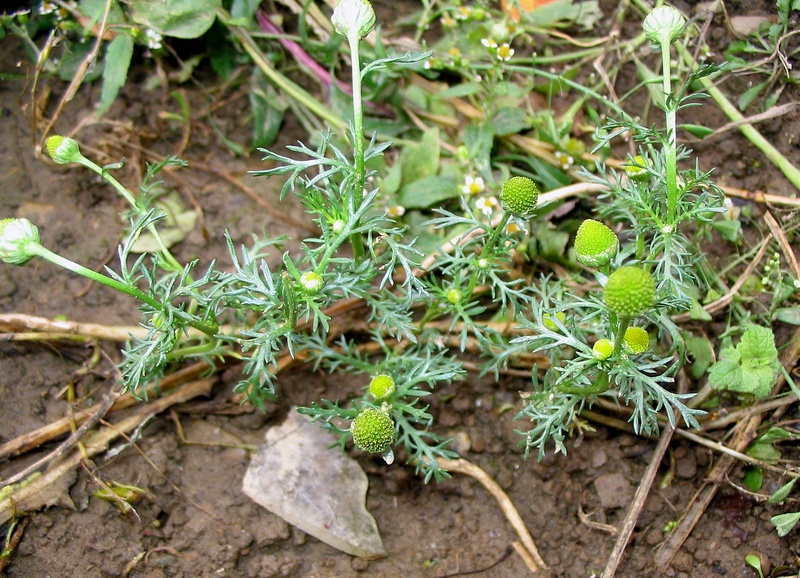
{"type": "Point", "coordinates": [50, 488]}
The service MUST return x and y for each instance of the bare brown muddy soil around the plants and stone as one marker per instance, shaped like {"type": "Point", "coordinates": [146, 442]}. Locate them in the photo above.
{"type": "Point", "coordinates": [194, 520]}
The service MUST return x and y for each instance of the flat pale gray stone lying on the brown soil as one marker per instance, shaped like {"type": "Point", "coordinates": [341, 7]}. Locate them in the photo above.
{"type": "Point", "coordinates": [321, 490]}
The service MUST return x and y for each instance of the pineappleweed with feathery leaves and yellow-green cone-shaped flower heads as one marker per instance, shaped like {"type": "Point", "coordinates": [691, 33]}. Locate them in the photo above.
{"type": "Point", "coordinates": [363, 254]}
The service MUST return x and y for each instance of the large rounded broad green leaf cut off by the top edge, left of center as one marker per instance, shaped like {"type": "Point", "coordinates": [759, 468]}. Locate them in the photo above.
{"type": "Point", "coordinates": [177, 18]}
